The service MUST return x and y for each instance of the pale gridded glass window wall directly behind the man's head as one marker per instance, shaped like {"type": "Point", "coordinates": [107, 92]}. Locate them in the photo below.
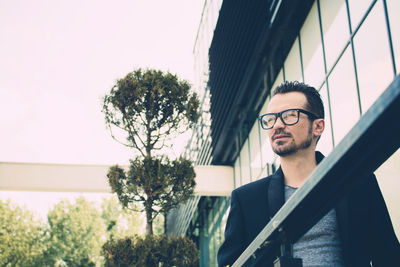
{"type": "Point", "coordinates": [350, 60]}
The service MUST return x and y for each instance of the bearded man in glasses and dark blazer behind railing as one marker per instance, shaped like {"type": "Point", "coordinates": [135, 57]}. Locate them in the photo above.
{"type": "Point", "coordinates": [357, 232]}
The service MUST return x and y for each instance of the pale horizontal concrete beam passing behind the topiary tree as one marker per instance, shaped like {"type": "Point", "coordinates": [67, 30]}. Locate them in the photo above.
{"type": "Point", "coordinates": [210, 180]}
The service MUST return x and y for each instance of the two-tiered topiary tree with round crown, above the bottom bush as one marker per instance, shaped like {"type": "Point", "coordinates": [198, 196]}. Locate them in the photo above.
{"type": "Point", "coordinates": [149, 109]}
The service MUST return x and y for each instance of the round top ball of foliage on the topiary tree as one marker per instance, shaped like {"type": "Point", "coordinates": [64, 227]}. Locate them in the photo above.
{"type": "Point", "coordinates": [150, 107]}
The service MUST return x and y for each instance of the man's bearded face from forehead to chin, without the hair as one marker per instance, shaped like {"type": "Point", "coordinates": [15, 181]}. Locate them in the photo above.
{"type": "Point", "coordinates": [288, 139]}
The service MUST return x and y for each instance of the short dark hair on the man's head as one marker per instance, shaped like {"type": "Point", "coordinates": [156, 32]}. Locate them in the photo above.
{"type": "Point", "coordinates": [314, 102]}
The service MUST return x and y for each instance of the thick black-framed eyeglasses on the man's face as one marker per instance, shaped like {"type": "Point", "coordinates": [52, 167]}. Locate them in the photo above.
{"type": "Point", "coordinates": [288, 117]}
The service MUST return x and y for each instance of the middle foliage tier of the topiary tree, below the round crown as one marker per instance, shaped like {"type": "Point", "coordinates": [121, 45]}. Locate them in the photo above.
{"type": "Point", "coordinates": [158, 184]}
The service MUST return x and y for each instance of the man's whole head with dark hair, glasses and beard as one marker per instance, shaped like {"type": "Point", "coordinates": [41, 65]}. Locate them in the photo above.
{"type": "Point", "coordinates": [295, 118]}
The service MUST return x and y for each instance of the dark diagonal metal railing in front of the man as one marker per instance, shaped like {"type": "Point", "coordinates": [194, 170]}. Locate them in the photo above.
{"type": "Point", "coordinates": [369, 143]}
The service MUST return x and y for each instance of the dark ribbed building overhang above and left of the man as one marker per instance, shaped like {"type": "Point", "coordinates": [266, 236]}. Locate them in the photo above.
{"type": "Point", "coordinates": [250, 42]}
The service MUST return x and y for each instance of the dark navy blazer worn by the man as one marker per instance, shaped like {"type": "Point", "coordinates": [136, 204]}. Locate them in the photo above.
{"type": "Point", "coordinates": [365, 229]}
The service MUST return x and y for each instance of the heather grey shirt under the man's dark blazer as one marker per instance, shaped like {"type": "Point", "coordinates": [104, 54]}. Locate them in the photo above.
{"type": "Point", "coordinates": [320, 246]}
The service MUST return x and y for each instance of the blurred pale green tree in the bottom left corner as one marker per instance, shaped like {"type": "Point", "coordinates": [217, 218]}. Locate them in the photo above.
{"type": "Point", "coordinates": [22, 238]}
